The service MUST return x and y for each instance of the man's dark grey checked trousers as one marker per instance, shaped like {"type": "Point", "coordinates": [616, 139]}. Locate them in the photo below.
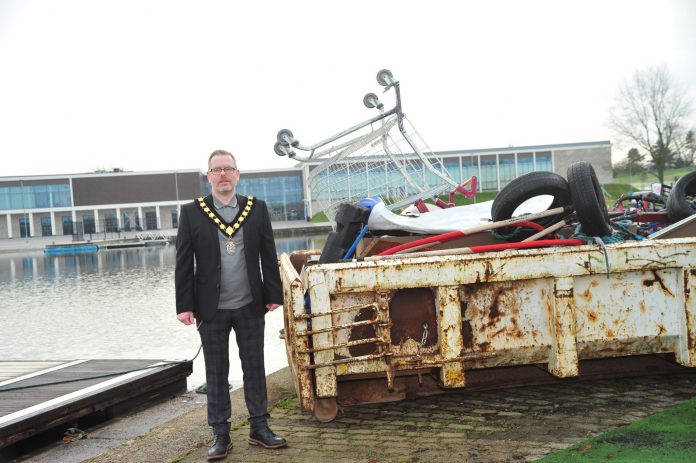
{"type": "Point", "coordinates": [248, 325]}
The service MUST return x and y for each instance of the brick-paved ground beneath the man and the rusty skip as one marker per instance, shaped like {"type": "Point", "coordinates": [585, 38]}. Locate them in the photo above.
{"type": "Point", "coordinates": [510, 425]}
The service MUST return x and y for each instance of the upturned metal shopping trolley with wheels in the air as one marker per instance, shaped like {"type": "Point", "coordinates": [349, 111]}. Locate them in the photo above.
{"type": "Point", "coordinates": [383, 156]}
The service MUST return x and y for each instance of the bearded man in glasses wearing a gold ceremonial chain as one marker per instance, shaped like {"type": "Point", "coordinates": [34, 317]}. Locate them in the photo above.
{"type": "Point", "coordinates": [226, 278]}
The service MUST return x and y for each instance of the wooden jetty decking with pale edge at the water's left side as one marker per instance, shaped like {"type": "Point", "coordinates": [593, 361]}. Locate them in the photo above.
{"type": "Point", "coordinates": [26, 411]}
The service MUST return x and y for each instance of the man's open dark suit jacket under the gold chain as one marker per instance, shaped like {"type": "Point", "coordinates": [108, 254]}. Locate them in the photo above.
{"type": "Point", "coordinates": [198, 286]}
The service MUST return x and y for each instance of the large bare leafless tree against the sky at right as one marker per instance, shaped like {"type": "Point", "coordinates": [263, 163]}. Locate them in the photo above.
{"type": "Point", "coordinates": [650, 111]}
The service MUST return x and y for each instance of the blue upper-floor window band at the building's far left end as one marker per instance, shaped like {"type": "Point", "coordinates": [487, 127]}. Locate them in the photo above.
{"type": "Point", "coordinates": [34, 196]}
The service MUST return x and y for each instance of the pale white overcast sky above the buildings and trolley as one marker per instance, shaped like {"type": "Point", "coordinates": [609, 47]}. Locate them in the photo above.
{"type": "Point", "coordinates": [158, 85]}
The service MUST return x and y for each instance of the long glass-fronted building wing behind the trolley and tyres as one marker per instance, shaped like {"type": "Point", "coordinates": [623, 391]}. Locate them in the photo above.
{"type": "Point", "coordinates": [494, 168]}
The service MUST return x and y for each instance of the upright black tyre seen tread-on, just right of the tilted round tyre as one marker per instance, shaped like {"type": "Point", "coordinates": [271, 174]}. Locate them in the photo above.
{"type": "Point", "coordinates": [588, 199]}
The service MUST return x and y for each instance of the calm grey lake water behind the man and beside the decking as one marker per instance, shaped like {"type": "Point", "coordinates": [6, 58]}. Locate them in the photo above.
{"type": "Point", "coordinates": [110, 304]}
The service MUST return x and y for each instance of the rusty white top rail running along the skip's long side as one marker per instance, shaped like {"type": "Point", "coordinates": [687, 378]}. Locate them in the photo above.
{"type": "Point", "coordinates": [512, 265]}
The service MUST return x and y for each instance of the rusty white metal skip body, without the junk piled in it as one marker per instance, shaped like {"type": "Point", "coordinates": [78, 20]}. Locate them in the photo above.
{"type": "Point", "coordinates": [384, 330]}
